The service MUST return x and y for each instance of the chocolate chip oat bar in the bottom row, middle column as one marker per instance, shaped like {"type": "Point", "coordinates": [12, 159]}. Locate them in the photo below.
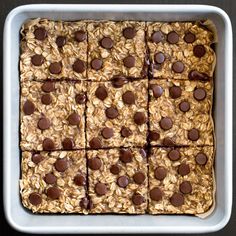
{"type": "Point", "coordinates": [118, 180]}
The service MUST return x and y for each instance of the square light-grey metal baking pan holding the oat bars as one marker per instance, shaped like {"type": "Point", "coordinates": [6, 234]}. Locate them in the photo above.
{"type": "Point", "coordinates": [23, 220]}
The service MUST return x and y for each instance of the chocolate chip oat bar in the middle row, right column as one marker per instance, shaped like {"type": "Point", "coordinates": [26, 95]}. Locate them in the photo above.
{"type": "Point", "coordinates": [180, 112]}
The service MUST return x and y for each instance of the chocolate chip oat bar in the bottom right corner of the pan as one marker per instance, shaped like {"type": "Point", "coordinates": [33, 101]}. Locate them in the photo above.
{"type": "Point", "coordinates": [181, 180]}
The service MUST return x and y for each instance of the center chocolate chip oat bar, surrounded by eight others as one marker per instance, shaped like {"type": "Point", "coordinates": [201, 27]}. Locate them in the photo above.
{"type": "Point", "coordinates": [115, 116]}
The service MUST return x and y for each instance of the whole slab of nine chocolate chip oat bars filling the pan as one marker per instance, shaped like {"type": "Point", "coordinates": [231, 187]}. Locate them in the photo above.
{"type": "Point", "coordinates": [116, 117]}
